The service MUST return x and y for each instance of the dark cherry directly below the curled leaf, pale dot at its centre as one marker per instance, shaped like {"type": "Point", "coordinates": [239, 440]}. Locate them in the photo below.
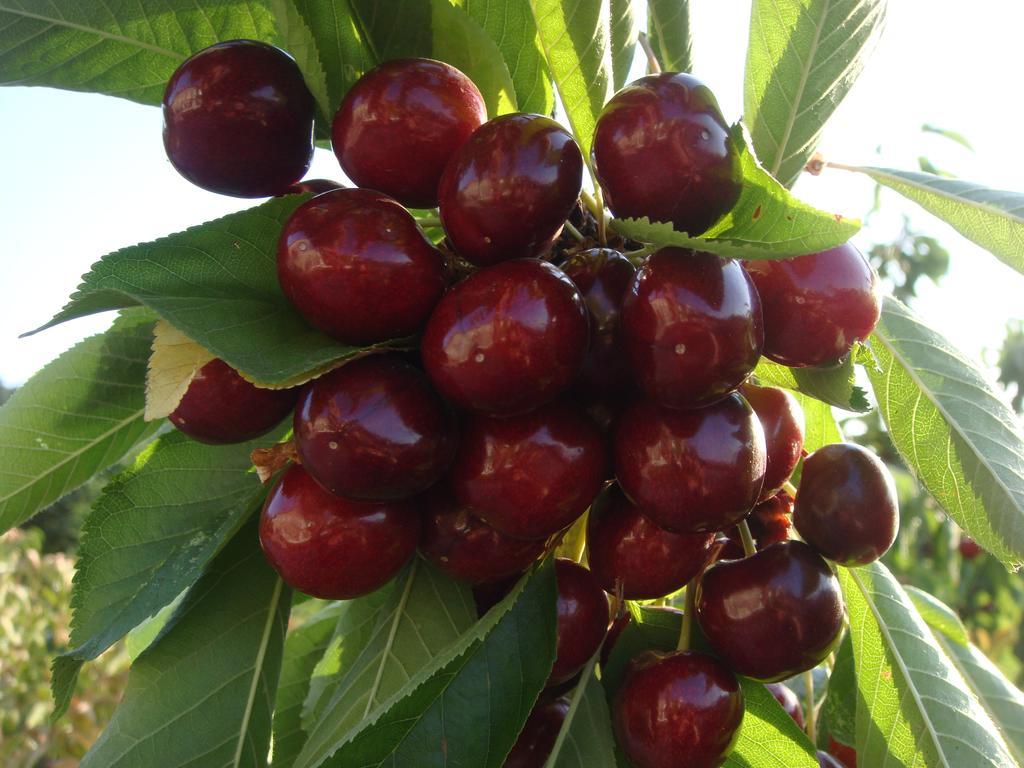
{"type": "Point", "coordinates": [692, 327]}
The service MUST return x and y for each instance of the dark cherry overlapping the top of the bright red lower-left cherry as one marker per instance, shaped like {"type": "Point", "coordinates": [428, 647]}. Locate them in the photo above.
{"type": "Point", "coordinates": [374, 430]}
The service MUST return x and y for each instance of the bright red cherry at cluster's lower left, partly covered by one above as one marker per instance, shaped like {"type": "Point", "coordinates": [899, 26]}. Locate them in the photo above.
{"type": "Point", "coordinates": [334, 548]}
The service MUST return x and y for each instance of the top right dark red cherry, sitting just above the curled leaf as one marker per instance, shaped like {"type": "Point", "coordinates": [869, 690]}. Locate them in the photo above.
{"type": "Point", "coordinates": [663, 150]}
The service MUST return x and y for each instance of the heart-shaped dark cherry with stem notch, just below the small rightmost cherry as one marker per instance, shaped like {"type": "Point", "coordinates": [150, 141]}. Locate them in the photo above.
{"type": "Point", "coordinates": [774, 615]}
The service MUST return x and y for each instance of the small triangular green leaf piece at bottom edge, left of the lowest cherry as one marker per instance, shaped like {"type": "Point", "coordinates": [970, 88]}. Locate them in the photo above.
{"type": "Point", "coordinates": [585, 740]}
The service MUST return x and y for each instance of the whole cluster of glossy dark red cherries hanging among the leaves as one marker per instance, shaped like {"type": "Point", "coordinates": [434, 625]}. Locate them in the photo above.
{"type": "Point", "coordinates": [616, 382]}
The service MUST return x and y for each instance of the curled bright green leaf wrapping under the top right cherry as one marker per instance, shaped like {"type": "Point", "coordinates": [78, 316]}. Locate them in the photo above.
{"type": "Point", "coordinates": [767, 223]}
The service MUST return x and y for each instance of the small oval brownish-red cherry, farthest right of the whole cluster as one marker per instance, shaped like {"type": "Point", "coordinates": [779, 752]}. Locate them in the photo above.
{"type": "Point", "coordinates": [846, 507]}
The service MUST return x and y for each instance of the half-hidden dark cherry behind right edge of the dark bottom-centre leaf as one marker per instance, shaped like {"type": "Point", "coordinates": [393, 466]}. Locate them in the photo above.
{"type": "Point", "coordinates": [583, 620]}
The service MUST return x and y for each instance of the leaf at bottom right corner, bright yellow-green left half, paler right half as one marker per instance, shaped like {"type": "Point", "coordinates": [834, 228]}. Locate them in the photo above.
{"type": "Point", "coordinates": [914, 708]}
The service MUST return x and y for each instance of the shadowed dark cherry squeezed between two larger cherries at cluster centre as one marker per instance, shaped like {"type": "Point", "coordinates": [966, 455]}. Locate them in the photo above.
{"type": "Point", "coordinates": [603, 276]}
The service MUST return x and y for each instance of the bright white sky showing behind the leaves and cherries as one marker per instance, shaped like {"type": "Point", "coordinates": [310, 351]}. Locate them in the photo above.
{"type": "Point", "coordinates": [84, 176]}
